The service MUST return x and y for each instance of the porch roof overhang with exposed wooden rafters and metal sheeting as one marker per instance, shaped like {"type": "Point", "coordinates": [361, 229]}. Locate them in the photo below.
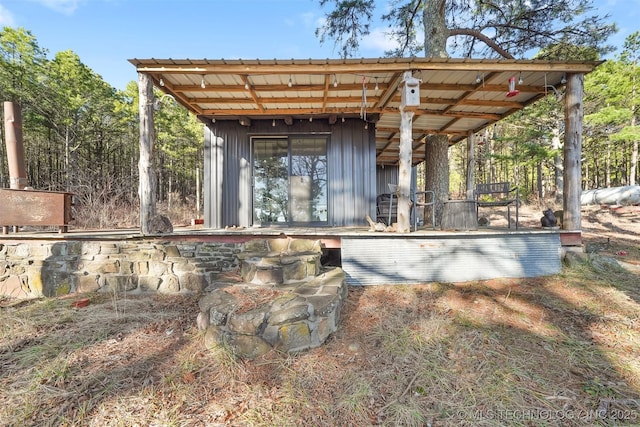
{"type": "Point", "coordinates": [457, 96]}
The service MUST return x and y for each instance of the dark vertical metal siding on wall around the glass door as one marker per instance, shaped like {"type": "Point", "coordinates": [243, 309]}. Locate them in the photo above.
{"type": "Point", "coordinates": [228, 174]}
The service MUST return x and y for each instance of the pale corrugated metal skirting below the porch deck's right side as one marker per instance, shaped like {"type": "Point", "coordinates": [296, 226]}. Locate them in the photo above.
{"type": "Point", "coordinates": [398, 260]}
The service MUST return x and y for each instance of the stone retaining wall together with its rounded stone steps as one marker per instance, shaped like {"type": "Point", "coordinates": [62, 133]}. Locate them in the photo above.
{"type": "Point", "coordinates": [281, 299]}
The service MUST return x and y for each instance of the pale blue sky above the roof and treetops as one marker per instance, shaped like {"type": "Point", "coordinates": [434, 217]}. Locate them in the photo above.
{"type": "Point", "coordinates": [105, 34]}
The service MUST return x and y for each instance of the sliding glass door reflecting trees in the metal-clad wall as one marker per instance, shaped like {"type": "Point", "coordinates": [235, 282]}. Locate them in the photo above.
{"type": "Point", "coordinates": [290, 180]}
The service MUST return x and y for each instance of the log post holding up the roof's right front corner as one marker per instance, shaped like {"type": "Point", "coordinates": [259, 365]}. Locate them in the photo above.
{"type": "Point", "coordinates": [573, 152]}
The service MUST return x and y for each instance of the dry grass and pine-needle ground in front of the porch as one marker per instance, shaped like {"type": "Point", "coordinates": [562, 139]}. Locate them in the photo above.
{"type": "Point", "coordinates": [555, 351]}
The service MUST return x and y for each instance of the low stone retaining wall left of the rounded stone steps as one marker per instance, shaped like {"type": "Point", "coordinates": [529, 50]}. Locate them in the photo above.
{"type": "Point", "coordinates": [43, 268]}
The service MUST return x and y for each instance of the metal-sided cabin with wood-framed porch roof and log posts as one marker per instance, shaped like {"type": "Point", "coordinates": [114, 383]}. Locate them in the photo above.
{"type": "Point", "coordinates": [313, 142]}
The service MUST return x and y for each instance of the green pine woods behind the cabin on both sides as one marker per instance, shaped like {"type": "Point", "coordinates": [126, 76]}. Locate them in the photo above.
{"type": "Point", "coordinates": [81, 134]}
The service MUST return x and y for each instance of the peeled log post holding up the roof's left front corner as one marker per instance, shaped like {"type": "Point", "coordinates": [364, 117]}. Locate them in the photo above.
{"type": "Point", "coordinates": [147, 185]}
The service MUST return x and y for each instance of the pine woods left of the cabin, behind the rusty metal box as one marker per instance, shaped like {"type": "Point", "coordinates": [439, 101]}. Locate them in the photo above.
{"type": "Point", "coordinates": [81, 135]}
